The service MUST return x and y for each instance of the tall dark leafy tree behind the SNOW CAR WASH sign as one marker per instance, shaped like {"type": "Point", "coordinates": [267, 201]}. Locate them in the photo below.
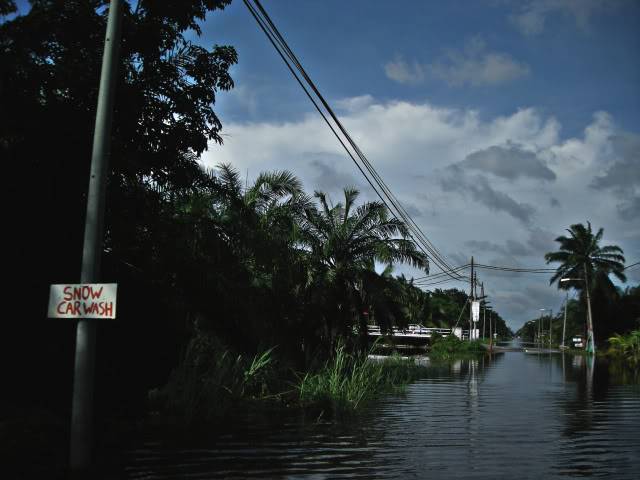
{"type": "Point", "coordinates": [164, 117]}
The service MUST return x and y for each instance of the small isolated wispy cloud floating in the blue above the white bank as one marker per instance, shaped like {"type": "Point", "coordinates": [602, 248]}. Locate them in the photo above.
{"type": "Point", "coordinates": [472, 65]}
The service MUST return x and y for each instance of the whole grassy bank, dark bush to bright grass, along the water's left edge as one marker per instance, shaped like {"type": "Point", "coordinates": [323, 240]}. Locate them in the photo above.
{"type": "Point", "coordinates": [212, 380]}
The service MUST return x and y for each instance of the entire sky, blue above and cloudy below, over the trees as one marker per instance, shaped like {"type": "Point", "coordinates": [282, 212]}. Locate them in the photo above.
{"type": "Point", "coordinates": [497, 123]}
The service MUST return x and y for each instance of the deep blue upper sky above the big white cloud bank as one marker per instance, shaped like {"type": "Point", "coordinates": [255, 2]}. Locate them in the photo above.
{"type": "Point", "coordinates": [571, 68]}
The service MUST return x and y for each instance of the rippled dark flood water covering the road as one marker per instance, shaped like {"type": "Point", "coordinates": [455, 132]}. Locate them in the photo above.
{"type": "Point", "coordinates": [515, 415]}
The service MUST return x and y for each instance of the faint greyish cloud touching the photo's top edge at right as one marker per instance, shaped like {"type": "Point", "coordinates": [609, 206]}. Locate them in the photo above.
{"type": "Point", "coordinates": [532, 17]}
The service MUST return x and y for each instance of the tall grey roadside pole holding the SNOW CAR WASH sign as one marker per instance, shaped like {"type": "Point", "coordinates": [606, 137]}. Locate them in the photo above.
{"type": "Point", "coordinates": [82, 403]}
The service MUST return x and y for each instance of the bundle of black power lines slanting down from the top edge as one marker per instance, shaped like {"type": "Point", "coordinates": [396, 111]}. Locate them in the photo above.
{"type": "Point", "coordinates": [387, 196]}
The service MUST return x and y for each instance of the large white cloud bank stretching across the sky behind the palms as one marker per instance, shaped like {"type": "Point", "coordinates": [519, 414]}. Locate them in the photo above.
{"type": "Point", "coordinates": [414, 145]}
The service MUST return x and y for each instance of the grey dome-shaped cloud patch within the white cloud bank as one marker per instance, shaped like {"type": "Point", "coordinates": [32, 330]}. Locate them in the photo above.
{"type": "Point", "coordinates": [509, 161]}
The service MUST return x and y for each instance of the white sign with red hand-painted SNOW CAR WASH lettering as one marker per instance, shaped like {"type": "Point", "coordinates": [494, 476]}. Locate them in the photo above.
{"type": "Point", "coordinates": [84, 300]}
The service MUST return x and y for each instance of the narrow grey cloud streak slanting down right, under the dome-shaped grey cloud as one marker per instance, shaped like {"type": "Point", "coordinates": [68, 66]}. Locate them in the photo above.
{"type": "Point", "coordinates": [481, 191]}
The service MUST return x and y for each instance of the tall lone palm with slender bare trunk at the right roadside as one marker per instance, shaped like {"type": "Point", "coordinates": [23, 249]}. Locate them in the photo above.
{"type": "Point", "coordinates": [582, 259]}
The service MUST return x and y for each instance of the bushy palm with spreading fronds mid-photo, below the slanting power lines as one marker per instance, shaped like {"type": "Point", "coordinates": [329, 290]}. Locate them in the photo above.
{"type": "Point", "coordinates": [344, 245]}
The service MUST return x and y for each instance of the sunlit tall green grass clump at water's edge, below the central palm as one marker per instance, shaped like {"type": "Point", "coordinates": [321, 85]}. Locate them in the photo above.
{"type": "Point", "coordinates": [347, 381]}
